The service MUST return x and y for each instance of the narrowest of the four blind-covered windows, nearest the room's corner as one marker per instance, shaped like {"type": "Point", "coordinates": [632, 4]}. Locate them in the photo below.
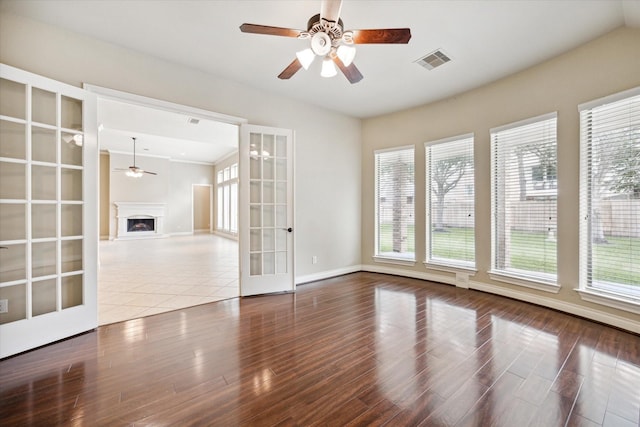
{"type": "Point", "coordinates": [395, 227]}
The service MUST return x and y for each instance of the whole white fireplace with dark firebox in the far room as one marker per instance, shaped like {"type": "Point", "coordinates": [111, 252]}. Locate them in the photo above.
{"type": "Point", "coordinates": [139, 220]}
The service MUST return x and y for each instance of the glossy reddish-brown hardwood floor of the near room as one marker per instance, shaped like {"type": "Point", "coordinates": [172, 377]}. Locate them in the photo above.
{"type": "Point", "coordinates": [362, 349]}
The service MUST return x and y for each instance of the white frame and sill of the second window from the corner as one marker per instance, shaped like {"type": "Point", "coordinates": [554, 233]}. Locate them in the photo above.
{"type": "Point", "coordinates": [446, 264]}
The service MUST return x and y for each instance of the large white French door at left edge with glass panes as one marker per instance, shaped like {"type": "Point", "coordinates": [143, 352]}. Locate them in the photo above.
{"type": "Point", "coordinates": [48, 211]}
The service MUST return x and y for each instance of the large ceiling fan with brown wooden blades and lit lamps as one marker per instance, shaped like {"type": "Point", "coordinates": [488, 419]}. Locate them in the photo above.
{"type": "Point", "coordinates": [330, 41]}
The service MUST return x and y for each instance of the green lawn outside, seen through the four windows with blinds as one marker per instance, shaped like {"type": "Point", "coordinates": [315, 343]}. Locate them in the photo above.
{"type": "Point", "coordinates": [527, 252]}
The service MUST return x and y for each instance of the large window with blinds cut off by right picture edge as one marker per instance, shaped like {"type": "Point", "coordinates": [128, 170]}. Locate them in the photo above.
{"type": "Point", "coordinates": [610, 196]}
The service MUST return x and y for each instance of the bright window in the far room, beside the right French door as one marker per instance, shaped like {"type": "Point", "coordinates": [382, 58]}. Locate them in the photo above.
{"type": "Point", "coordinates": [227, 201]}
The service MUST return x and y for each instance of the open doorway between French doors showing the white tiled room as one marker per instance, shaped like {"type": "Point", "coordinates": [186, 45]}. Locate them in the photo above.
{"type": "Point", "coordinates": [188, 264]}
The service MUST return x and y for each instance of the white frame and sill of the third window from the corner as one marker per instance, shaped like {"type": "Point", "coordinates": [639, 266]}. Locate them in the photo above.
{"type": "Point", "coordinates": [541, 281]}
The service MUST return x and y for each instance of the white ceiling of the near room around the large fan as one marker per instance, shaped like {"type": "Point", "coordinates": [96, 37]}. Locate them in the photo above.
{"type": "Point", "coordinates": [486, 39]}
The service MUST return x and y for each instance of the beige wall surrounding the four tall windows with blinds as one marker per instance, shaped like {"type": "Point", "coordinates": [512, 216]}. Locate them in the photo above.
{"type": "Point", "coordinates": [604, 66]}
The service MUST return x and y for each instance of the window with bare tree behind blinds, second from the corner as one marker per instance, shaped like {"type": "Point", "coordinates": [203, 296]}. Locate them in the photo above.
{"type": "Point", "coordinates": [450, 202]}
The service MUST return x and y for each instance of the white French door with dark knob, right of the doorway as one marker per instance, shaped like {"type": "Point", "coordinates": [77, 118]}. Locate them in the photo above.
{"type": "Point", "coordinates": [266, 210]}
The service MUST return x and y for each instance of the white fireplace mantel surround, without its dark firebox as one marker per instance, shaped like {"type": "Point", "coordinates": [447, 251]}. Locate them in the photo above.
{"type": "Point", "coordinates": [139, 210]}
